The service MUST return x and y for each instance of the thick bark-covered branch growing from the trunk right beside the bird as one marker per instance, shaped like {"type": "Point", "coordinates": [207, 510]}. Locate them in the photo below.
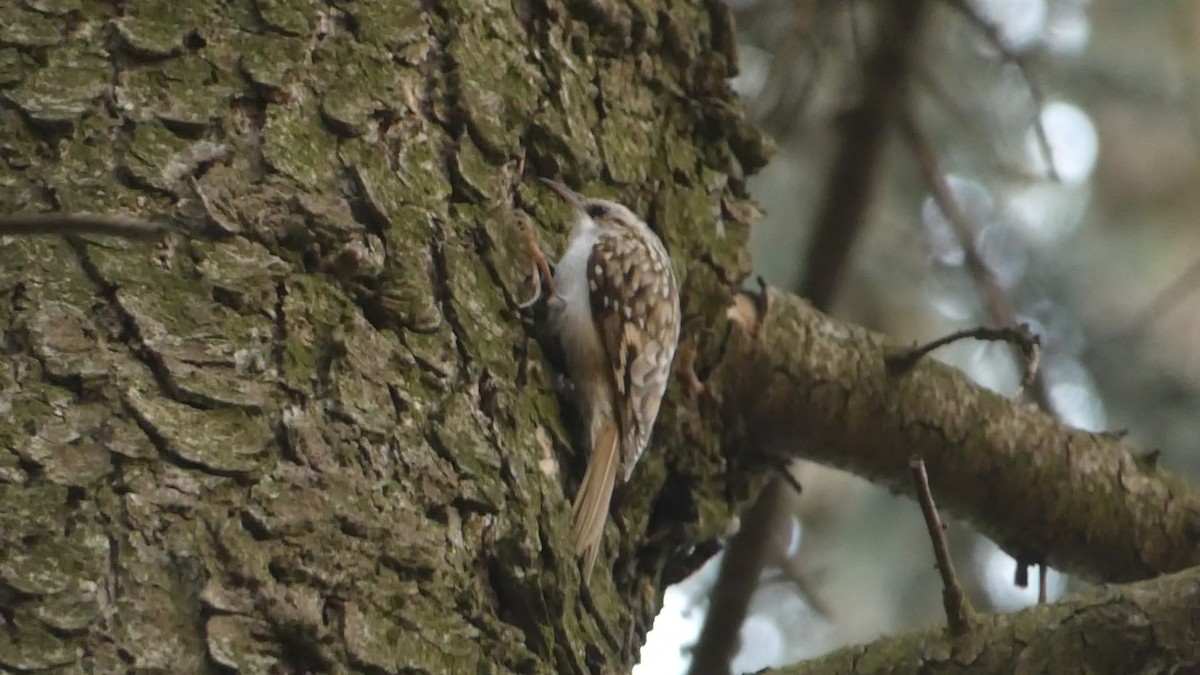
{"type": "Point", "coordinates": [809, 386]}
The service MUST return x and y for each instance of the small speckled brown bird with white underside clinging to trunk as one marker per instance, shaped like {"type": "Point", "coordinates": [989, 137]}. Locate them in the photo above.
{"type": "Point", "coordinates": [615, 309]}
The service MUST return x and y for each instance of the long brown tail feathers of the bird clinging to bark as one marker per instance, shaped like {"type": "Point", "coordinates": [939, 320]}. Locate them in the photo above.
{"type": "Point", "coordinates": [591, 507]}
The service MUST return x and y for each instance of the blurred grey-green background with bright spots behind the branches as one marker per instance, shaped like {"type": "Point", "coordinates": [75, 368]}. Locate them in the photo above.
{"type": "Point", "coordinates": [1099, 252]}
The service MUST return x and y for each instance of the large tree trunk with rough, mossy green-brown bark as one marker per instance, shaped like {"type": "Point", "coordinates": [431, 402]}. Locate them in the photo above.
{"type": "Point", "coordinates": [315, 434]}
